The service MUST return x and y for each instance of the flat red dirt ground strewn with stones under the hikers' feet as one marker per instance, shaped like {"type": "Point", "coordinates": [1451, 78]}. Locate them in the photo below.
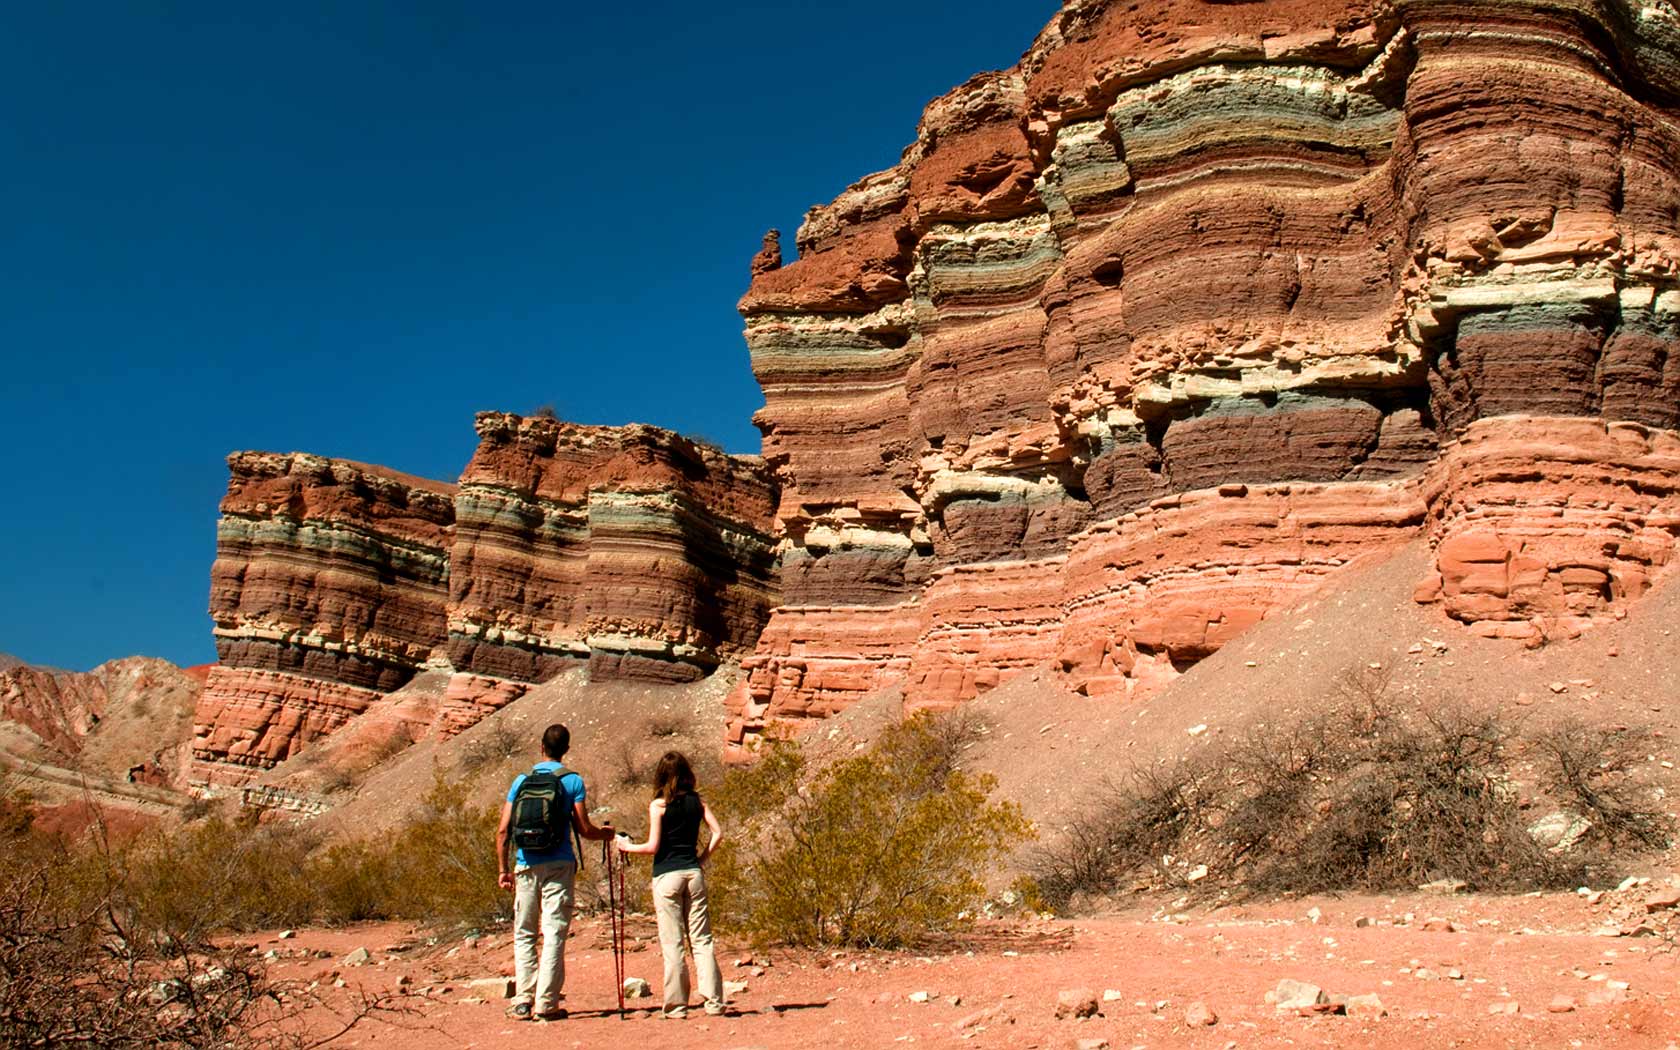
{"type": "Point", "coordinates": [1525, 950]}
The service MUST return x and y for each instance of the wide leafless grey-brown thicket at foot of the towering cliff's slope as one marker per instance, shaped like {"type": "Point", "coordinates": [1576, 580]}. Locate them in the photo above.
{"type": "Point", "coordinates": [1360, 797]}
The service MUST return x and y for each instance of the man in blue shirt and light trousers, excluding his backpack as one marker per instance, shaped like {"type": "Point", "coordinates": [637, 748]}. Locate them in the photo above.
{"type": "Point", "coordinates": [543, 890]}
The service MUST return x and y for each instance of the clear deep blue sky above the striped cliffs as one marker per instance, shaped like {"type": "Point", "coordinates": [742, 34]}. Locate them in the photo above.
{"type": "Point", "coordinates": [347, 228]}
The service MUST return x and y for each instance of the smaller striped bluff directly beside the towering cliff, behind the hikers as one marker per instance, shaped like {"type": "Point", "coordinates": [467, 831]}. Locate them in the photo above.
{"type": "Point", "coordinates": [633, 549]}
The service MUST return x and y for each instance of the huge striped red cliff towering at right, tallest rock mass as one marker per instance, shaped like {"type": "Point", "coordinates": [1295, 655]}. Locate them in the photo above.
{"type": "Point", "coordinates": [1202, 302]}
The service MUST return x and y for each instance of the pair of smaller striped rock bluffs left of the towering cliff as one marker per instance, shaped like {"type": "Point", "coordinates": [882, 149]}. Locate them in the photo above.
{"type": "Point", "coordinates": [631, 550]}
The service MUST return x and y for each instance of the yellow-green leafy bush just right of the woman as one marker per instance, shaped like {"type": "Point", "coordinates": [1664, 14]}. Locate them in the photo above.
{"type": "Point", "coordinates": [876, 851]}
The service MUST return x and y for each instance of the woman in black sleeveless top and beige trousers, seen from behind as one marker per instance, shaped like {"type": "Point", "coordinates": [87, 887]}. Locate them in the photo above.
{"type": "Point", "coordinates": [680, 885]}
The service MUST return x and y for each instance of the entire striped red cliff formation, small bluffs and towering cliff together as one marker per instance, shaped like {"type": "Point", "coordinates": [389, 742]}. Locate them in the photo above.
{"type": "Point", "coordinates": [1142, 340]}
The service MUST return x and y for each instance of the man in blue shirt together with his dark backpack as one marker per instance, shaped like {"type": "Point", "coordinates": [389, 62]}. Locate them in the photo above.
{"type": "Point", "coordinates": [538, 819]}
